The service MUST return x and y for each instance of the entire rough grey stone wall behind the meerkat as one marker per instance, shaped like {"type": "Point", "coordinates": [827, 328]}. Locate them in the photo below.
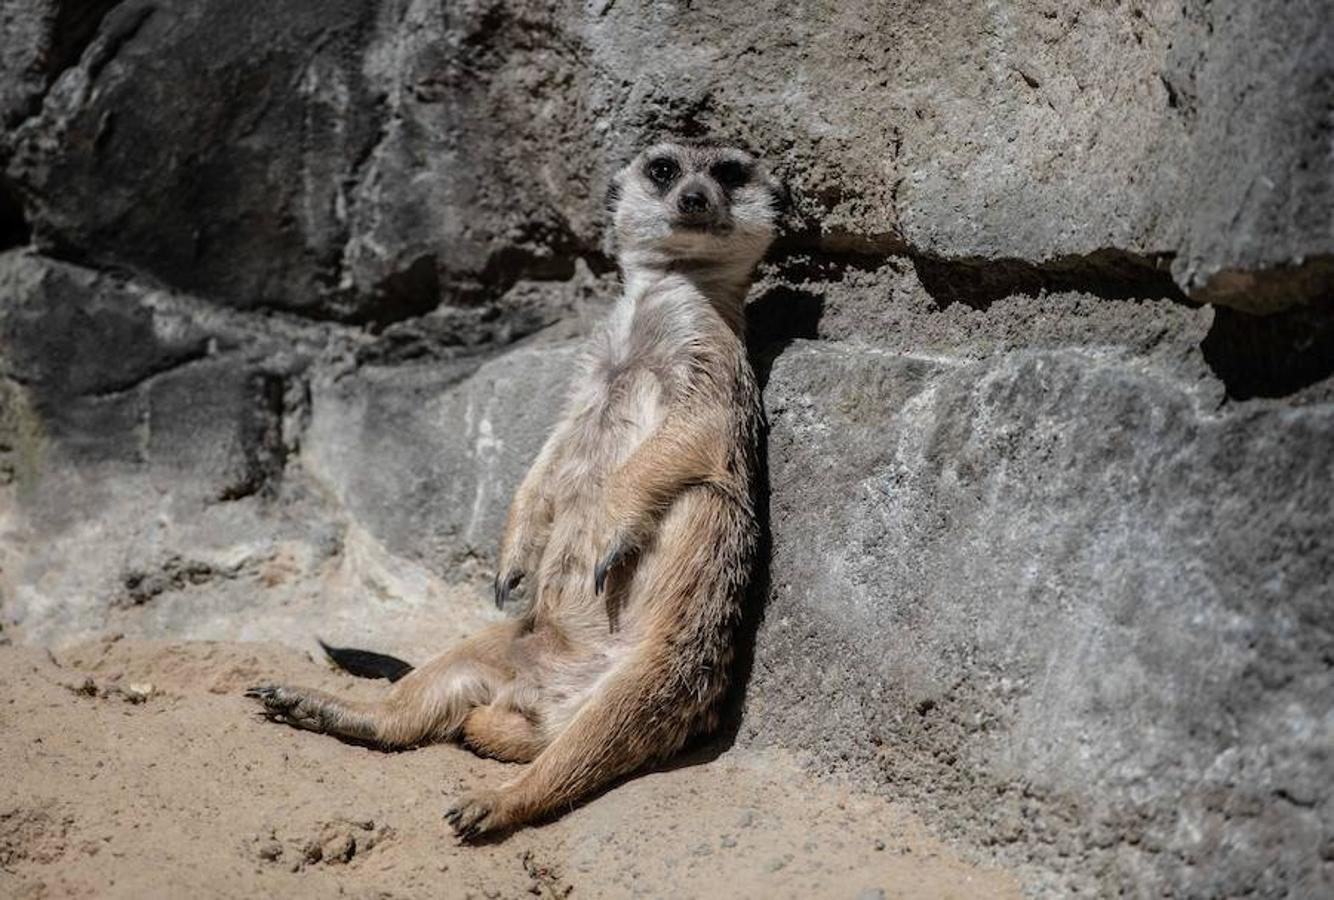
{"type": "Point", "coordinates": [289, 302]}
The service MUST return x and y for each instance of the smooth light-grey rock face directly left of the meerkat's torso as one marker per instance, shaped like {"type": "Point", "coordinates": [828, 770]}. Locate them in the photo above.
{"type": "Point", "coordinates": [428, 457]}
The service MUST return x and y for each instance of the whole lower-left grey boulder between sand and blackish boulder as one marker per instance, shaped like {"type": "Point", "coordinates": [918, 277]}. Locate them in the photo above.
{"type": "Point", "coordinates": [154, 446]}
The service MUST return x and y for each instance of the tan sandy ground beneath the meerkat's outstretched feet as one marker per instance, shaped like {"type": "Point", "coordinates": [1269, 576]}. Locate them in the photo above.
{"type": "Point", "coordinates": [135, 769]}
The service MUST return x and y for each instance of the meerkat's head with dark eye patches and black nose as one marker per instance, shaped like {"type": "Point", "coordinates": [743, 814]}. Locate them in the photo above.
{"type": "Point", "coordinates": [702, 203]}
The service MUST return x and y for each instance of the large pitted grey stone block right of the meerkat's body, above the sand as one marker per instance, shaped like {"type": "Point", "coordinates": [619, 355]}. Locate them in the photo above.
{"type": "Point", "coordinates": [976, 539]}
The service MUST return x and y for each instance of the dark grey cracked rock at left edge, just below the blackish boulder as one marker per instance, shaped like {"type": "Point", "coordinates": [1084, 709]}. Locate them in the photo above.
{"type": "Point", "coordinates": [174, 399]}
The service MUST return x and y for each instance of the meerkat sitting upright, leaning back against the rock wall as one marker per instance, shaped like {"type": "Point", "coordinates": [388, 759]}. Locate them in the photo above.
{"type": "Point", "coordinates": [634, 531]}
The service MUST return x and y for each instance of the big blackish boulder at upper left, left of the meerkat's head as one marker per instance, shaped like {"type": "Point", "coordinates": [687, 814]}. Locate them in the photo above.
{"type": "Point", "coordinates": [356, 218]}
